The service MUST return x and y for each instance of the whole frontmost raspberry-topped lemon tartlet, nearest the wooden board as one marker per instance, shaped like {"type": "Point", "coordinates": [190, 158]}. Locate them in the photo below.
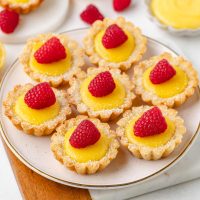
{"type": "Point", "coordinates": [81, 158]}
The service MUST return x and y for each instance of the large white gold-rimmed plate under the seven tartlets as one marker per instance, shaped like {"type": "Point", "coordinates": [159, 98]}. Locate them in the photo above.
{"type": "Point", "coordinates": [123, 171]}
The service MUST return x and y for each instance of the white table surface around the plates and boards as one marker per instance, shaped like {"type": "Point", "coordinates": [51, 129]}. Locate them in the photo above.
{"type": "Point", "coordinates": [190, 47]}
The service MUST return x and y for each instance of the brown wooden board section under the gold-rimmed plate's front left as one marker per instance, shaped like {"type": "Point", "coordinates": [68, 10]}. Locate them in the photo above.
{"type": "Point", "coordinates": [35, 187]}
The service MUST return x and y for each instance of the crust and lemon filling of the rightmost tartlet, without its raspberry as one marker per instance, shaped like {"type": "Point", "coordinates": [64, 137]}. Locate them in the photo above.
{"type": "Point", "coordinates": [172, 92]}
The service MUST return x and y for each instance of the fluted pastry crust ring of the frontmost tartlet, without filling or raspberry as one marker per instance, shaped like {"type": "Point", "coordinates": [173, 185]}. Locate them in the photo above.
{"type": "Point", "coordinates": [91, 166]}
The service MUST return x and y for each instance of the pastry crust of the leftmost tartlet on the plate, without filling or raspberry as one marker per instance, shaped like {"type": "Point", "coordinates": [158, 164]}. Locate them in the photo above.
{"type": "Point", "coordinates": [41, 129]}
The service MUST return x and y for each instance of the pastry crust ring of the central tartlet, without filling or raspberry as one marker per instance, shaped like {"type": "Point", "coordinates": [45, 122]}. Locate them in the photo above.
{"type": "Point", "coordinates": [104, 114]}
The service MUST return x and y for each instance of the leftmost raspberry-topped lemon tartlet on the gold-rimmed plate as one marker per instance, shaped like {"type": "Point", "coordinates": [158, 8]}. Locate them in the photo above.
{"type": "Point", "coordinates": [36, 121]}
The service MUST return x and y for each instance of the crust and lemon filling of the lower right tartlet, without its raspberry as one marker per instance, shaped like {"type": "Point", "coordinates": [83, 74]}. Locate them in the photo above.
{"type": "Point", "coordinates": [152, 147]}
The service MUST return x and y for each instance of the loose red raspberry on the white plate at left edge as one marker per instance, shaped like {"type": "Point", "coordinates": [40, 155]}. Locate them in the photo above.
{"type": "Point", "coordinates": [8, 21]}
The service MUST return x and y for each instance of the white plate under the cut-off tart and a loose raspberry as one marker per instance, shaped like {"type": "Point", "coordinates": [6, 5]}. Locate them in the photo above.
{"type": "Point", "coordinates": [46, 18]}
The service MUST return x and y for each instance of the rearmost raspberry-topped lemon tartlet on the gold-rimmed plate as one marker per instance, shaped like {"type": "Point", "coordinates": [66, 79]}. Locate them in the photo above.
{"type": "Point", "coordinates": [129, 51]}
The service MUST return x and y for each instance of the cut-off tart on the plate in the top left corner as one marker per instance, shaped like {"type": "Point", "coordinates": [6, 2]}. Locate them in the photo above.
{"type": "Point", "coordinates": [21, 6]}
